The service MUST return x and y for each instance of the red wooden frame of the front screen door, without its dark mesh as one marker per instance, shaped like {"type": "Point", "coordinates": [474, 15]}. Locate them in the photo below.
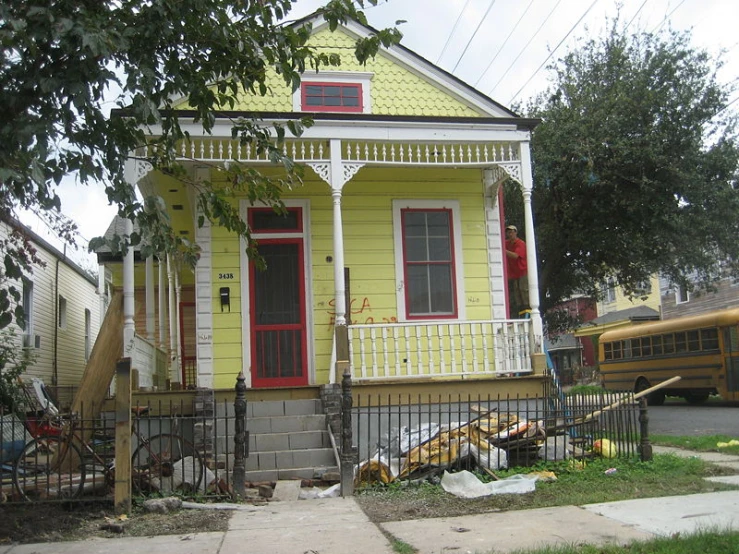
{"type": "Point", "coordinates": [302, 379]}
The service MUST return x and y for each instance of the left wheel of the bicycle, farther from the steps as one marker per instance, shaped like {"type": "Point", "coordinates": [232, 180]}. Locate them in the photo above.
{"type": "Point", "coordinates": [45, 470]}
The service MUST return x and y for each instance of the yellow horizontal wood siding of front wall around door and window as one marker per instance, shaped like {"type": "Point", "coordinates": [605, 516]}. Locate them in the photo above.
{"type": "Point", "coordinates": [369, 253]}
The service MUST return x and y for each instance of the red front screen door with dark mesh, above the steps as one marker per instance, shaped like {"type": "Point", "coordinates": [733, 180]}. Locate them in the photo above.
{"type": "Point", "coordinates": [278, 329]}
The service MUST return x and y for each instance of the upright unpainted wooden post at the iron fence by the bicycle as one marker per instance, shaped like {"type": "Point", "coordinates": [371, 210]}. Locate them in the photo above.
{"type": "Point", "coordinates": [122, 490]}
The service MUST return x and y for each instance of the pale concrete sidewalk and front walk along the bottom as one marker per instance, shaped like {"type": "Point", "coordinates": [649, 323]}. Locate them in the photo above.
{"type": "Point", "coordinates": [338, 526]}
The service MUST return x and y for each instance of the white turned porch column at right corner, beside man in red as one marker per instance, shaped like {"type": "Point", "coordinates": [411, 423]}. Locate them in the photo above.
{"type": "Point", "coordinates": [528, 185]}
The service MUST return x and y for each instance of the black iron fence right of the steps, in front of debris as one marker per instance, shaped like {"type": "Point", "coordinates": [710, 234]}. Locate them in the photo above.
{"type": "Point", "coordinates": [413, 438]}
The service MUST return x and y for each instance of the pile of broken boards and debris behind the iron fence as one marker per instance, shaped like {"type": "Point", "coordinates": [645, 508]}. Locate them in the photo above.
{"type": "Point", "coordinates": [487, 442]}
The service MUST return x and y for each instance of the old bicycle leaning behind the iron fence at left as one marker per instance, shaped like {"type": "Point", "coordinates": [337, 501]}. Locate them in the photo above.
{"type": "Point", "coordinates": [52, 466]}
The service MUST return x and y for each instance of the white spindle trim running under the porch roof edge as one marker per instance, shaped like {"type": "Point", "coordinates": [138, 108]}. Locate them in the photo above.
{"type": "Point", "coordinates": [375, 153]}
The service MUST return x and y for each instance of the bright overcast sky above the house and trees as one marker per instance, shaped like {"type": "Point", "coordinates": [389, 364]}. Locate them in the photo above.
{"type": "Point", "coordinates": [501, 47]}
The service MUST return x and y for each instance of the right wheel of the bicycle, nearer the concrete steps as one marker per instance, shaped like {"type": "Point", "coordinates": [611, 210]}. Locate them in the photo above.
{"type": "Point", "coordinates": [166, 463]}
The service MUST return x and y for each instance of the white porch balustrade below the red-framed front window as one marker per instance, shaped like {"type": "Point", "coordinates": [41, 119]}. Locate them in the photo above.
{"type": "Point", "coordinates": [414, 350]}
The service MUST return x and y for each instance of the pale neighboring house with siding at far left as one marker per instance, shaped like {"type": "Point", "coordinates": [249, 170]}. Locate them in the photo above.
{"type": "Point", "coordinates": [63, 313]}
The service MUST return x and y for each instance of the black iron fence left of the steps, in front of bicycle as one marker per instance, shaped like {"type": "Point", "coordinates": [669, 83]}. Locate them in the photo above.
{"type": "Point", "coordinates": [73, 457]}
